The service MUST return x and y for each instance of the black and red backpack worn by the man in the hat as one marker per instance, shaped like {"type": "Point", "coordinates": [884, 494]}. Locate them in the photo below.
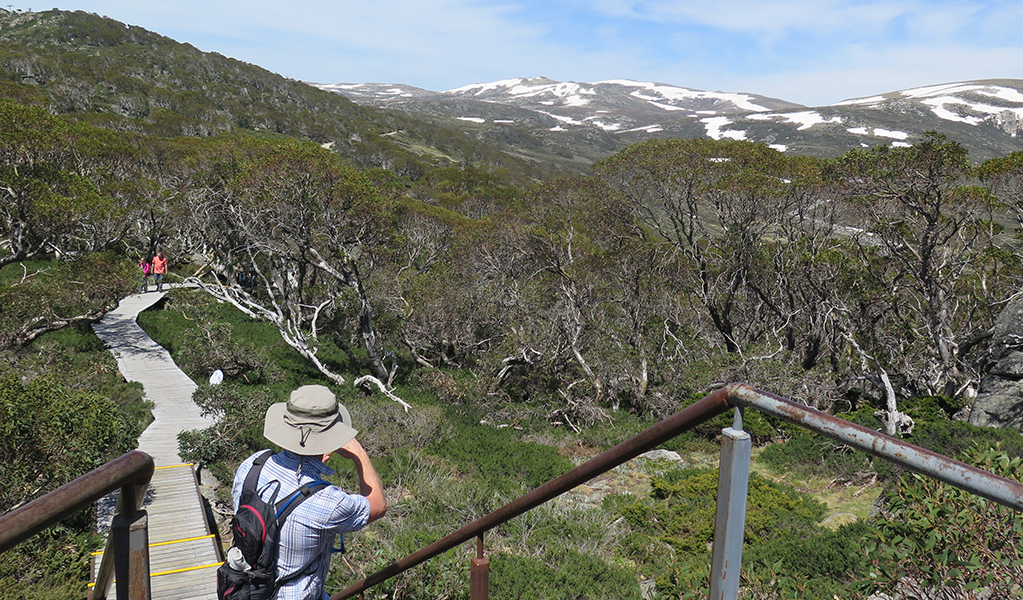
{"type": "Point", "coordinates": [257, 529]}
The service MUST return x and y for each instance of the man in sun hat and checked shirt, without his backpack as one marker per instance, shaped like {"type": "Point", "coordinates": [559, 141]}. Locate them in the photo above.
{"type": "Point", "coordinates": [312, 427]}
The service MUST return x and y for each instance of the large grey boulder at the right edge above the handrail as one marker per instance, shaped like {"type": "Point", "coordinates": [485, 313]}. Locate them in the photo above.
{"type": "Point", "coordinates": [1000, 402]}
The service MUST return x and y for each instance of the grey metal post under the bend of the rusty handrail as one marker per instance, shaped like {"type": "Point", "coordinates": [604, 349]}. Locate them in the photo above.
{"type": "Point", "coordinates": [734, 479]}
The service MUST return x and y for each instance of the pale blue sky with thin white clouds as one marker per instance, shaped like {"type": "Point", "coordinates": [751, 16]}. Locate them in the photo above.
{"type": "Point", "coordinates": [813, 53]}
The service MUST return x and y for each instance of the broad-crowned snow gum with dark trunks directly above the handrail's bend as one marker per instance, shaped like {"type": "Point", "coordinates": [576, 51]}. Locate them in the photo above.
{"type": "Point", "coordinates": [729, 209]}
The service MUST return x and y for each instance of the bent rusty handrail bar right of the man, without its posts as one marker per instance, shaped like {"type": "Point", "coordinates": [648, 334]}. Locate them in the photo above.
{"type": "Point", "coordinates": [996, 488]}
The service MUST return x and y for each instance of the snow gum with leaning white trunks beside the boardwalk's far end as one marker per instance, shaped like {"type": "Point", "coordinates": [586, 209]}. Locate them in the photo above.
{"type": "Point", "coordinates": [302, 229]}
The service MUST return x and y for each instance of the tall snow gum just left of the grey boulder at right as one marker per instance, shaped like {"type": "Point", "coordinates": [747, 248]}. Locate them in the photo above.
{"type": "Point", "coordinates": [922, 245]}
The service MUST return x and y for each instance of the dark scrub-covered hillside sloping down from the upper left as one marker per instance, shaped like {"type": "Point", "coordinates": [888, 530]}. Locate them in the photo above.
{"type": "Point", "coordinates": [130, 79]}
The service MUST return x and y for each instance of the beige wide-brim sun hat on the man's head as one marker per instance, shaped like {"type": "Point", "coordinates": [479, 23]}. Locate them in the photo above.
{"type": "Point", "coordinates": [312, 423]}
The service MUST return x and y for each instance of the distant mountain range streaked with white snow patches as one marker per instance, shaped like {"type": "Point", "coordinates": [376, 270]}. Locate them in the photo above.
{"type": "Point", "coordinates": [589, 121]}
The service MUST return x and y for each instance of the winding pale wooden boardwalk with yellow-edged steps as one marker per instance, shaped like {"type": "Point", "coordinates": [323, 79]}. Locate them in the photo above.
{"type": "Point", "coordinates": [184, 553]}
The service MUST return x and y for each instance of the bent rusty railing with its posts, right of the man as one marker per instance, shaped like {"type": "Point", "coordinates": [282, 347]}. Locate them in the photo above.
{"type": "Point", "coordinates": [728, 535]}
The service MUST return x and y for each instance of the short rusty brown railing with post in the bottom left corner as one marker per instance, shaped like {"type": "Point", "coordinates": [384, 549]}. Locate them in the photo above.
{"type": "Point", "coordinates": [127, 546]}
